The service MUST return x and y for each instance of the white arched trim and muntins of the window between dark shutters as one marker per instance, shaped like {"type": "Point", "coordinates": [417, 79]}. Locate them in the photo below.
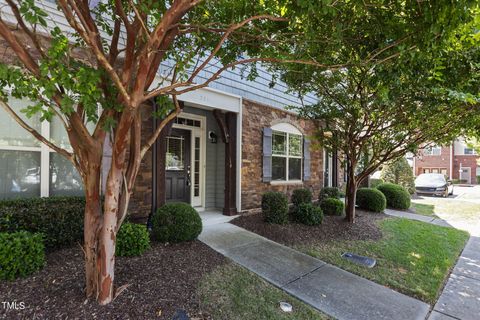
{"type": "Point", "coordinates": [287, 156]}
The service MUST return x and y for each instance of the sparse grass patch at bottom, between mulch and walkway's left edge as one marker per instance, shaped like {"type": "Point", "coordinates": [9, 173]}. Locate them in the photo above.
{"type": "Point", "coordinates": [232, 292]}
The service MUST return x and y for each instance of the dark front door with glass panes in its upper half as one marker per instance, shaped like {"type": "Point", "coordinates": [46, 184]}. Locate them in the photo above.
{"type": "Point", "coordinates": [177, 166]}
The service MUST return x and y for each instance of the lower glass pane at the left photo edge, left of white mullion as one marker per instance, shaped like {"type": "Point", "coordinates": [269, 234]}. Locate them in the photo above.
{"type": "Point", "coordinates": [19, 174]}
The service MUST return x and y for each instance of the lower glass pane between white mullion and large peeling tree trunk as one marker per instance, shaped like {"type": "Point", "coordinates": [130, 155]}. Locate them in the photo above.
{"type": "Point", "coordinates": [64, 178]}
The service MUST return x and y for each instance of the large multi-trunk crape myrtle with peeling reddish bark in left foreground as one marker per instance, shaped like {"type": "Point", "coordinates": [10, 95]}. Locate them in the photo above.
{"type": "Point", "coordinates": [101, 69]}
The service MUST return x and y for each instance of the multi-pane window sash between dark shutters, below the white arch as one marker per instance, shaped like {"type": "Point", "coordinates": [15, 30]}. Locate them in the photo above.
{"type": "Point", "coordinates": [287, 150]}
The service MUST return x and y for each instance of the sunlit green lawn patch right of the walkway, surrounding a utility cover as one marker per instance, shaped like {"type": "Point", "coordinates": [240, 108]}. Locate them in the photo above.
{"type": "Point", "coordinates": [412, 257]}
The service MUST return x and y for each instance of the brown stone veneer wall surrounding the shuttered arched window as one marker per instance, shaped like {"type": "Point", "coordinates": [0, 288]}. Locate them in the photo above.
{"type": "Point", "coordinates": [255, 118]}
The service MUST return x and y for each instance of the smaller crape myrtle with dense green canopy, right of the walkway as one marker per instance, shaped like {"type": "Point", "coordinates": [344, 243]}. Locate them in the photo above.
{"type": "Point", "coordinates": [399, 88]}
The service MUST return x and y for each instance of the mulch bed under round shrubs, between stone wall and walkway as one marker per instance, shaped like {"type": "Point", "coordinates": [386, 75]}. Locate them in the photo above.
{"type": "Point", "coordinates": [332, 228]}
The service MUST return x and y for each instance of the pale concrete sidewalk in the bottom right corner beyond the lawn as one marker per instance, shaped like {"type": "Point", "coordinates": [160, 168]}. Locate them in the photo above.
{"type": "Point", "coordinates": [460, 298]}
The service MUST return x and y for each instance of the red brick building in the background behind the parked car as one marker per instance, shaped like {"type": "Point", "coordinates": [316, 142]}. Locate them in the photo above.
{"type": "Point", "coordinates": [457, 161]}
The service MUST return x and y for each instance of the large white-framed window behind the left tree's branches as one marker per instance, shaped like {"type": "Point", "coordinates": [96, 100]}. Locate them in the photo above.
{"type": "Point", "coordinates": [28, 168]}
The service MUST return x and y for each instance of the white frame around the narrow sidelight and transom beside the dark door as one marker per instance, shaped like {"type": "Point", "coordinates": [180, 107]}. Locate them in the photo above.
{"type": "Point", "coordinates": [197, 202]}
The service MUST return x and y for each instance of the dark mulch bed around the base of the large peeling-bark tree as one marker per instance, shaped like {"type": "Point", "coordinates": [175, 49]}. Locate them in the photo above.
{"type": "Point", "coordinates": [162, 281]}
